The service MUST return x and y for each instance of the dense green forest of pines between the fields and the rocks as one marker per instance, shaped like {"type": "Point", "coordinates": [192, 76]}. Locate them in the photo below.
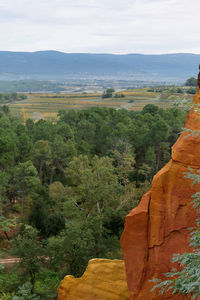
{"type": "Point", "coordinates": [65, 188]}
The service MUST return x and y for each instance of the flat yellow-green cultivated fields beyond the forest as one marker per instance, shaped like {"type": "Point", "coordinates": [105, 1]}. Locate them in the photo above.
{"type": "Point", "coordinates": [38, 106]}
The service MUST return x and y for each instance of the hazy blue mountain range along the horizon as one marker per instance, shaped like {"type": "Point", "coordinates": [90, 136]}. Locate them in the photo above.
{"type": "Point", "coordinates": [54, 65]}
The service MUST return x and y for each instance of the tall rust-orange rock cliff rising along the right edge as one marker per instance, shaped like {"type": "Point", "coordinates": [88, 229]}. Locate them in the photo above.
{"type": "Point", "coordinates": [158, 227]}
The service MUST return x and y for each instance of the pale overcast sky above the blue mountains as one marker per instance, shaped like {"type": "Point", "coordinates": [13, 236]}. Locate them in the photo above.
{"type": "Point", "coordinates": [101, 26]}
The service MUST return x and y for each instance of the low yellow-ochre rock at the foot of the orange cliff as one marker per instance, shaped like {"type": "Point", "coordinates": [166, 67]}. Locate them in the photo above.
{"type": "Point", "coordinates": [103, 279]}
